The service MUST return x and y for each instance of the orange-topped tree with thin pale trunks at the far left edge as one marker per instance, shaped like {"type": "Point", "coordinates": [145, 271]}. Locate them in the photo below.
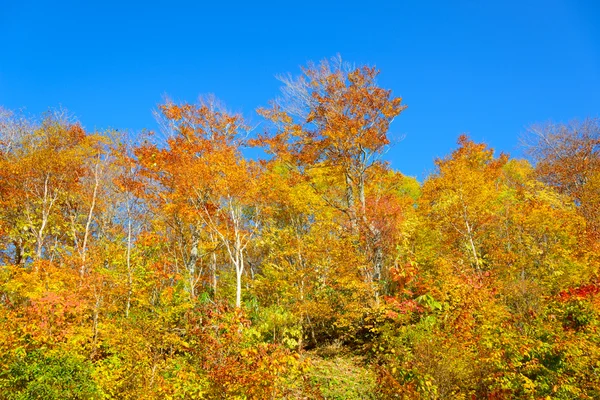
{"type": "Point", "coordinates": [53, 174]}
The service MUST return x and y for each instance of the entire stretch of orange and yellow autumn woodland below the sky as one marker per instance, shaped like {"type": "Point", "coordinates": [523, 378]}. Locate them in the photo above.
{"type": "Point", "coordinates": [173, 266]}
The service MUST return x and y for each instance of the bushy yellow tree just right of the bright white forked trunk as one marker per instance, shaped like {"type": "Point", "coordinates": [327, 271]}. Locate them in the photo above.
{"type": "Point", "coordinates": [308, 282]}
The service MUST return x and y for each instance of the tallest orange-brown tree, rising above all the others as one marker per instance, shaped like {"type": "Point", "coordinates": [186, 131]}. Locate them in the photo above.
{"type": "Point", "coordinates": [335, 117]}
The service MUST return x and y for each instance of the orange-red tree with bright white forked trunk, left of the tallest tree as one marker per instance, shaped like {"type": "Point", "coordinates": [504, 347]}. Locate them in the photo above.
{"type": "Point", "coordinates": [205, 183]}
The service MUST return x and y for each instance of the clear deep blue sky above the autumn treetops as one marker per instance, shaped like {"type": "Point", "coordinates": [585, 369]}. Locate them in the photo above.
{"type": "Point", "coordinates": [487, 68]}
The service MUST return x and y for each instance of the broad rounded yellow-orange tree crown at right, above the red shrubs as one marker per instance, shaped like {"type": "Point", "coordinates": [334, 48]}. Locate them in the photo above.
{"type": "Point", "coordinates": [492, 214]}
